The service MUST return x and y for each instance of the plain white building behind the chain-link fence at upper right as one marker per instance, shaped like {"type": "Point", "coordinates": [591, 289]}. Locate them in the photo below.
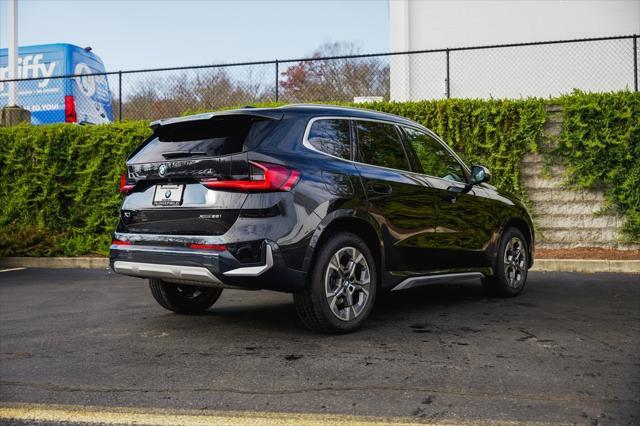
{"type": "Point", "coordinates": [543, 70]}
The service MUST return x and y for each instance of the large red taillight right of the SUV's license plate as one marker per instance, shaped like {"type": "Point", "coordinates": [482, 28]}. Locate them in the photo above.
{"type": "Point", "coordinates": [263, 177]}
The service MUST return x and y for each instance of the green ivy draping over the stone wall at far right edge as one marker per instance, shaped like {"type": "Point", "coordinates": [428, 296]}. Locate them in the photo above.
{"type": "Point", "coordinates": [600, 144]}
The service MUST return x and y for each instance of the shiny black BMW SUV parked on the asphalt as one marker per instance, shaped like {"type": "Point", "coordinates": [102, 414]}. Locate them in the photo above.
{"type": "Point", "coordinates": [331, 204]}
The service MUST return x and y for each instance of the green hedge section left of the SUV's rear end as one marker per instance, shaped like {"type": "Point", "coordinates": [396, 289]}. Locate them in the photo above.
{"type": "Point", "coordinates": [59, 193]}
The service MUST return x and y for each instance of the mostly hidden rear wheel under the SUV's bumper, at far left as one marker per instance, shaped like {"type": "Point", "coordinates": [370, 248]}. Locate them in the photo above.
{"type": "Point", "coordinates": [183, 299]}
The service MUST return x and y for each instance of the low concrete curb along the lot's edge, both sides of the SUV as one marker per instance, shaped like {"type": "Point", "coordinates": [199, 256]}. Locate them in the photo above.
{"type": "Point", "coordinates": [540, 265]}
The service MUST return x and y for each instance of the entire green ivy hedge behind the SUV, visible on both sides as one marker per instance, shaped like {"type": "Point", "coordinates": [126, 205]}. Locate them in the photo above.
{"type": "Point", "coordinates": [59, 182]}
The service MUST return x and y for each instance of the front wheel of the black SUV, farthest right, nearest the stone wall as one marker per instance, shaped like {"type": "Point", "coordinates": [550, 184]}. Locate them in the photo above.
{"type": "Point", "coordinates": [509, 279]}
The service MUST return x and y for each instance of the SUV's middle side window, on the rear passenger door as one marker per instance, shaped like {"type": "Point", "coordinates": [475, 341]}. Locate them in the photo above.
{"type": "Point", "coordinates": [379, 144]}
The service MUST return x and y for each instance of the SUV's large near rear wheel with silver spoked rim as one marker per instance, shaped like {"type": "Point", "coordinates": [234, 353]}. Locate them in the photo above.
{"type": "Point", "coordinates": [314, 306]}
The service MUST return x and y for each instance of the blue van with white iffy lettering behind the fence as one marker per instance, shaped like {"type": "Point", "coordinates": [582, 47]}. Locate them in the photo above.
{"type": "Point", "coordinates": [82, 99]}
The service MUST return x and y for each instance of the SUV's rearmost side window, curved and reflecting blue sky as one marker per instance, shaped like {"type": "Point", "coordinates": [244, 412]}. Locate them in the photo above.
{"type": "Point", "coordinates": [331, 137]}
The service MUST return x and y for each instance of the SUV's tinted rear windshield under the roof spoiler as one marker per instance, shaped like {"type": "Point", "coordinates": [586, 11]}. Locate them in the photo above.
{"type": "Point", "coordinates": [208, 138]}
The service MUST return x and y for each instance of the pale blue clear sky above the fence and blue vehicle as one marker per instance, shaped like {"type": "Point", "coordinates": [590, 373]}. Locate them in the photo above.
{"type": "Point", "coordinates": [133, 34]}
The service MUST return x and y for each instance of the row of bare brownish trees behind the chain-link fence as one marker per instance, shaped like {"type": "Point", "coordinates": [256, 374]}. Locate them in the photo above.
{"type": "Point", "coordinates": [171, 93]}
